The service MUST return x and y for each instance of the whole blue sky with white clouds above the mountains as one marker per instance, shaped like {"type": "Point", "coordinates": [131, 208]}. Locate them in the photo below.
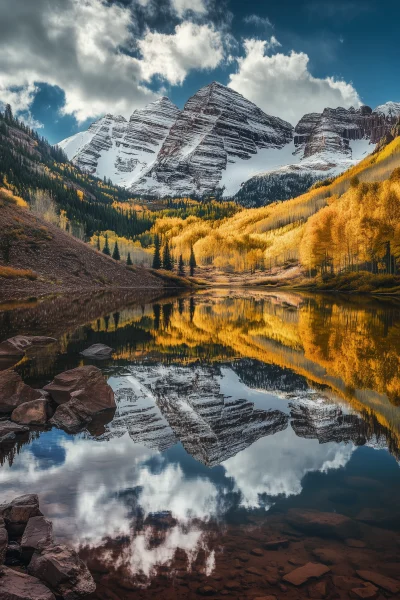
{"type": "Point", "coordinates": [67, 62]}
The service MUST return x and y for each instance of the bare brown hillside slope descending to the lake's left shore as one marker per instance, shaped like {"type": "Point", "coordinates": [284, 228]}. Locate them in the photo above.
{"type": "Point", "coordinates": [37, 258]}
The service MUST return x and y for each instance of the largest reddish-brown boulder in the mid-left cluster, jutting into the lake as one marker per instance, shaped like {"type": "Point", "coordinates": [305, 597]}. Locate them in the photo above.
{"type": "Point", "coordinates": [82, 394]}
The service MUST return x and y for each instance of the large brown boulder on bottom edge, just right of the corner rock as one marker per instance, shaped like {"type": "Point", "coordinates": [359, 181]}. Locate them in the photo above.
{"type": "Point", "coordinates": [63, 571]}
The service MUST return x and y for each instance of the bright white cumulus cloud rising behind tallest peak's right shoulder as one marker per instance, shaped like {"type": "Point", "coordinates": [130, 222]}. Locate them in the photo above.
{"type": "Point", "coordinates": [282, 85]}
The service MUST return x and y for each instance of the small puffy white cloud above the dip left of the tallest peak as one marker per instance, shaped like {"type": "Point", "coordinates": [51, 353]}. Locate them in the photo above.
{"type": "Point", "coordinates": [171, 57]}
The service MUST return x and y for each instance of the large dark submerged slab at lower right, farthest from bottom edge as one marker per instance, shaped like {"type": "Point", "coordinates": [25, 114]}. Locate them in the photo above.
{"type": "Point", "coordinates": [323, 524]}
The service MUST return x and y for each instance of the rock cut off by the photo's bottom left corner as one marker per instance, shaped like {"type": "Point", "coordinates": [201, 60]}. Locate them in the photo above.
{"type": "Point", "coordinates": [18, 586]}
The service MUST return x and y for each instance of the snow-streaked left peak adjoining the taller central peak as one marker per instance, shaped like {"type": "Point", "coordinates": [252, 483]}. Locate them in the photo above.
{"type": "Point", "coordinates": [123, 150]}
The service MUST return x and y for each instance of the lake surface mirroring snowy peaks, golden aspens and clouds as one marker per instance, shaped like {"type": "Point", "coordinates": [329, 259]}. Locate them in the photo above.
{"type": "Point", "coordinates": [231, 411]}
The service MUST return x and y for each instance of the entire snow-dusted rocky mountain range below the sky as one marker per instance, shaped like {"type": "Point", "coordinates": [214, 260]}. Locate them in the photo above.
{"type": "Point", "coordinates": [223, 144]}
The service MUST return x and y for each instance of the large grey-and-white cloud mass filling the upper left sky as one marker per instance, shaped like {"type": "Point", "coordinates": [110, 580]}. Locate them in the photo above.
{"type": "Point", "coordinates": [88, 49]}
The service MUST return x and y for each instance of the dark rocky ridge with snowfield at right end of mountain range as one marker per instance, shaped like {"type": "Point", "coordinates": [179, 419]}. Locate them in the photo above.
{"type": "Point", "coordinates": [326, 144]}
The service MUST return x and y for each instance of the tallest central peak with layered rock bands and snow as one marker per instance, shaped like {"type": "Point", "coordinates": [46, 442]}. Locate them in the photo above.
{"type": "Point", "coordinates": [217, 129]}
